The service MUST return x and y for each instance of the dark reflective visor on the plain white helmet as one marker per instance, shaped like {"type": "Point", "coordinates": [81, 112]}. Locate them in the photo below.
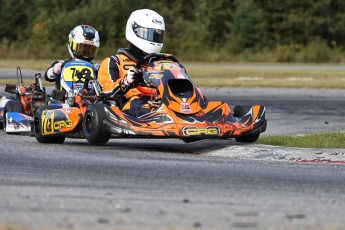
{"type": "Point", "coordinates": [149, 34]}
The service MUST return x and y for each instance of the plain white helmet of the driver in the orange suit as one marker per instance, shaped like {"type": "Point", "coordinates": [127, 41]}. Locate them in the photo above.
{"type": "Point", "coordinates": [146, 29]}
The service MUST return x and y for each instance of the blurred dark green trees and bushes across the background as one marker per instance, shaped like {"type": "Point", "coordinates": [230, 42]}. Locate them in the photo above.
{"type": "Point", "coordinates": [309, 31]}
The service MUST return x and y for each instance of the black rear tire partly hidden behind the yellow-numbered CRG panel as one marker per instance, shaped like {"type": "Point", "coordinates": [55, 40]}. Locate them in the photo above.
{"type": "Point", "coordinates": [51, 139]}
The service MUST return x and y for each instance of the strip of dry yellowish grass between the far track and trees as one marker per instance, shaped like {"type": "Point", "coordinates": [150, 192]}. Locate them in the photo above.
{"type": "Point", "coordinates": [235, 75]}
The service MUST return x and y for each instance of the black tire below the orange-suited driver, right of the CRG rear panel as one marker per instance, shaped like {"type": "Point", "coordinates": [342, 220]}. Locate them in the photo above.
{"type": "Point", "coordinates": [93, 125]}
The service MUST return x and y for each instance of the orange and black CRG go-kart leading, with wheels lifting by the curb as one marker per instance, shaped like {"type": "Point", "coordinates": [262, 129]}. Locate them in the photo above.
{"type": "Point", "coordinates": [180, 111]}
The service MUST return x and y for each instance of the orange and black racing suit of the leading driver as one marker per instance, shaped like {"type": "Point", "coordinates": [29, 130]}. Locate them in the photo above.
{"type": "Point", "coordinates": [133, 99]}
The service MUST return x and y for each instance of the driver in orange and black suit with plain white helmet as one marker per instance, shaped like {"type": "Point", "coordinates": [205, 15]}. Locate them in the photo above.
{"type": "Point", "coordinates": [145, 31]}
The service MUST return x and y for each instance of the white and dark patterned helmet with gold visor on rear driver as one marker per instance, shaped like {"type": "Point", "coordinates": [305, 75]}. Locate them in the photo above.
{"type": "Point", "coordinates": [83, 42]}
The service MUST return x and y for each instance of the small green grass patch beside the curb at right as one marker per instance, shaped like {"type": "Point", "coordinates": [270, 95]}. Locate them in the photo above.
{"type": "Point", "coordinates": [319, 140]}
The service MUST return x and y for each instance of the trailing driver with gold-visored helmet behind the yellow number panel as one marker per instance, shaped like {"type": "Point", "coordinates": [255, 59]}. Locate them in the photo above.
{"type": "Point", "coordinates": [83, 43]}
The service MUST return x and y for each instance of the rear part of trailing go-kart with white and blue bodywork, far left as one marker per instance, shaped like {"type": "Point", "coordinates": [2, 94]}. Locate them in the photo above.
{"type": "Point", "coordinates": [16, 112]}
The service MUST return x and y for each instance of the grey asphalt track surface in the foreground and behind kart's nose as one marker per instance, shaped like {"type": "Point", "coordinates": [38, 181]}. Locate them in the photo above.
{"type": "Point", "coordinates": [168, 184]}
